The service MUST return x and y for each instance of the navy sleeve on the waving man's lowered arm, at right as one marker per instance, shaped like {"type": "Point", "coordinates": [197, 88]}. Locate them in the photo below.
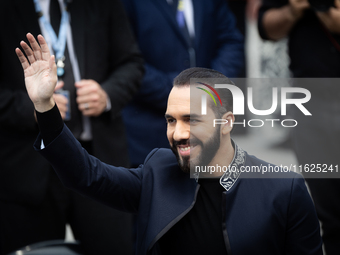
{"type": "Point", "coordinates": [303, 231]}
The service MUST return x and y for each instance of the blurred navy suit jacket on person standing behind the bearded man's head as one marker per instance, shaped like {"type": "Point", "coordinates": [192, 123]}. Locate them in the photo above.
{"type": "Point", "coordinates": [218, 45]}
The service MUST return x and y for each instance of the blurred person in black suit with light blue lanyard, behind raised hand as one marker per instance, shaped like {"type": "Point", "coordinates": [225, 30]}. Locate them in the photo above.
{"type": "Point", "coordinates": [99, 69]}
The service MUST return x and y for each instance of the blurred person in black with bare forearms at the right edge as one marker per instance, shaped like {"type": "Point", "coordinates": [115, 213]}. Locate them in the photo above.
{"type": "Point", "coordinates": [313, 28]}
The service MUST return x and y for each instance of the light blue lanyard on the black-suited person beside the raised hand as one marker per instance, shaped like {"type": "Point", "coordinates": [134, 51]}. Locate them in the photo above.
{"type": "Point", "coordinates": [58, 43]}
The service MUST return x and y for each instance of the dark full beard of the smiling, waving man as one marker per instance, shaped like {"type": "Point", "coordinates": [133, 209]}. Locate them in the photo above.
{"type": "Point", "coordinates": [208, 151]}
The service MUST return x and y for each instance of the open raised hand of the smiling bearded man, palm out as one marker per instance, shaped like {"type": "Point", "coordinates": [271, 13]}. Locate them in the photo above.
{"type": "Point", "coordinates": [40, 72]}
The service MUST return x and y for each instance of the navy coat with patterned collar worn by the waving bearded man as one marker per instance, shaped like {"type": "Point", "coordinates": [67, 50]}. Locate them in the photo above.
{"type": "Point", "coordinates": [261, 216]}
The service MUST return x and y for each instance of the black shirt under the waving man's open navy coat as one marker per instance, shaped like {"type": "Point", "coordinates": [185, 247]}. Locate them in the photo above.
{"type": "Point", "coordinates": [200, 230]}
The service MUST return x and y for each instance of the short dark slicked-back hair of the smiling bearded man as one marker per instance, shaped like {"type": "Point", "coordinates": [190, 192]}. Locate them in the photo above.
{"type": "Point", "coordinates": [210, 77]}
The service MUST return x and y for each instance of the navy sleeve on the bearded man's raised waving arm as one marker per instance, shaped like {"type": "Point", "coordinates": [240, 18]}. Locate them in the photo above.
{"type": "Point", "coordinates": [117, 187]}
